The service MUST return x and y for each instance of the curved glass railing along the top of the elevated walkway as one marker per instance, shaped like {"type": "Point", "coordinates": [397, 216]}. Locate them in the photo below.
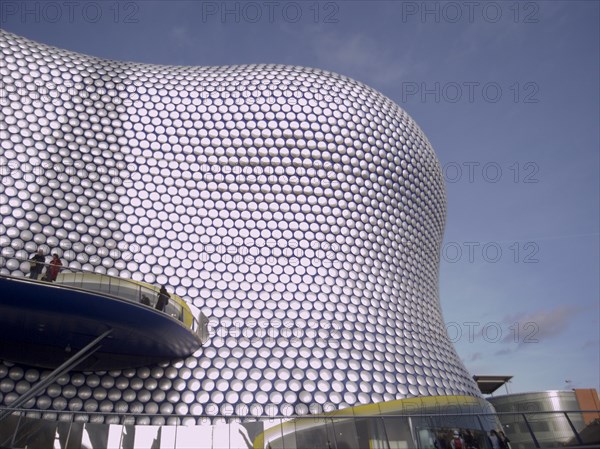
{"type": "Point", "coordinates": [107, 285]}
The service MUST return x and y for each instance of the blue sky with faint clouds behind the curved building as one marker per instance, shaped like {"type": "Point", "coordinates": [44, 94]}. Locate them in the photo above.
{"type": "Point", "coordinates": [508, 94]}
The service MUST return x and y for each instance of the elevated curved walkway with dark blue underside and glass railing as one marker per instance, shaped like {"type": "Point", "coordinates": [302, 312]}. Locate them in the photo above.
{"type": "Point", "coordinates": [88, 321]}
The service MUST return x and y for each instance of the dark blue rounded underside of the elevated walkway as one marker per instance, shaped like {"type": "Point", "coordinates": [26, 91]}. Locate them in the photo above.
{"type": "Point", "coordinates": [43, 324]}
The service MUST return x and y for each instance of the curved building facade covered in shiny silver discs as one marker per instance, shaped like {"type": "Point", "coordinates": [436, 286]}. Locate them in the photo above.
{"type": "Point", "coordinates": [300, 210]}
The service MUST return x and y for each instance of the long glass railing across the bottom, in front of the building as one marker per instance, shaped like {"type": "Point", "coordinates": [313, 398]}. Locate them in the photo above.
{"type": "Point", "coordinates": [425, 430]}
